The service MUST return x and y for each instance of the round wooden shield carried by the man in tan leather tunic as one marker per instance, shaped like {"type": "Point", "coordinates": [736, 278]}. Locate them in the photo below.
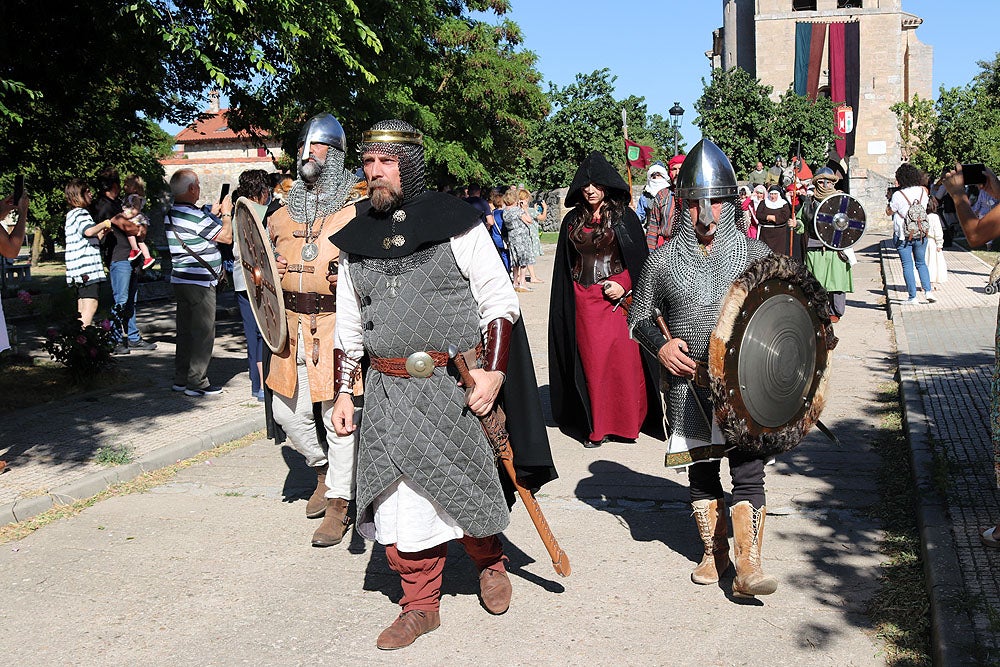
{"type": "Point", "coordinates": [263, 283]}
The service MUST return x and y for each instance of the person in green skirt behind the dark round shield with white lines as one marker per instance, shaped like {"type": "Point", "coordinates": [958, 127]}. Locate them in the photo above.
{"type": "Point", "coordinates": [832, 268]}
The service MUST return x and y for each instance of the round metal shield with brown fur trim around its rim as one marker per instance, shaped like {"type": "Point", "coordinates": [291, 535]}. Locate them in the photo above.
{"type": "Point", "coordinates": [769, 357]}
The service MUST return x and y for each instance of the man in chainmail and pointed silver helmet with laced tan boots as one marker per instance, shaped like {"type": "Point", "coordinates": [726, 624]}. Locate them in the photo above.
{"type": "Point", "coordinates": [687, 280]}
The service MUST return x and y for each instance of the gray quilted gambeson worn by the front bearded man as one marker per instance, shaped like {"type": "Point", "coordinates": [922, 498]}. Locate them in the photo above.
{"type": "Point", "coordinates": [420, 428]}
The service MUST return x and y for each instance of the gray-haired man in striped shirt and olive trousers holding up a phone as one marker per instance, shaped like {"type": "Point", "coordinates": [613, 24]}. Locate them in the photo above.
{"type": "Point", "coordinates": [193, 236]}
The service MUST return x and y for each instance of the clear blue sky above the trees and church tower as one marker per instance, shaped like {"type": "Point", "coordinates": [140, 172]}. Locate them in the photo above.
{"type": "Point", "coordinates": [656, 48]}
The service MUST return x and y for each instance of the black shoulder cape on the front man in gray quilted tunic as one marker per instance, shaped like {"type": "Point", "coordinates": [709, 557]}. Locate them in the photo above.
{"type": "Point", "coordinates": [431, 217]}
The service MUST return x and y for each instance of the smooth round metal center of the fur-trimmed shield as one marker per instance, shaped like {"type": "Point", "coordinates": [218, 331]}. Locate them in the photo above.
{"type": "Point", "coordinates": [777, 361]}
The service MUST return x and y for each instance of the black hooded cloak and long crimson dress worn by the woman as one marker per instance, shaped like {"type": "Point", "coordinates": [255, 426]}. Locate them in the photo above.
{"type": "Point", "coordinates": [598, 381]}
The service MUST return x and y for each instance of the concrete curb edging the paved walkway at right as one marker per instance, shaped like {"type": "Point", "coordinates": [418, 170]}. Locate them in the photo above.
{"type": "Point", "coordinates": [949, 624]}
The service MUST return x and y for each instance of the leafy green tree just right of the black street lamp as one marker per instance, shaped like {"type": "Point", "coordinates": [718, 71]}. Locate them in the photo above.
{"type": "Point", "coordinates": [736, 112]}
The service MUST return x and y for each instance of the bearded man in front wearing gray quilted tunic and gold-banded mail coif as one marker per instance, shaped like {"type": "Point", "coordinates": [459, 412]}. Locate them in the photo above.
{"type": "Point", "coordinates": [419, 273]}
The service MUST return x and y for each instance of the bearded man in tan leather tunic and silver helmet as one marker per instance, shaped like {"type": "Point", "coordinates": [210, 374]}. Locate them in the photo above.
{"type": "Point", "coordinates": [301, 375]}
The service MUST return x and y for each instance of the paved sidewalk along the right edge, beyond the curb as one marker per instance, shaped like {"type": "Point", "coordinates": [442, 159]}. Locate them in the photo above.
{"type": "Point", "coordinates": [946, 359]}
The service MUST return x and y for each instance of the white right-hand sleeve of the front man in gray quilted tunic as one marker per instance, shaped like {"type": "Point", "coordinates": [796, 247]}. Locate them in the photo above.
{"type": "Point", "coordinates": [479, 262]}
